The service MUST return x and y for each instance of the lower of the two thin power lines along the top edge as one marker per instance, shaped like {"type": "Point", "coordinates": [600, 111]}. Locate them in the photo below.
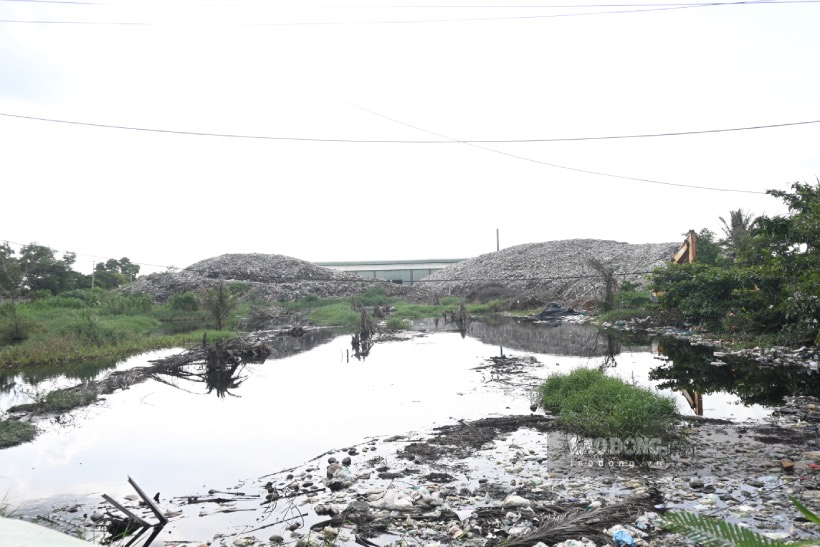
{"type": "Point", "coordinates": [409, 21]}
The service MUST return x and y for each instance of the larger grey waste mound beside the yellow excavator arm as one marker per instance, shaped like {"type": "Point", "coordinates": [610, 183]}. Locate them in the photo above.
{"type": "Point", "coordinates": [552, 270]}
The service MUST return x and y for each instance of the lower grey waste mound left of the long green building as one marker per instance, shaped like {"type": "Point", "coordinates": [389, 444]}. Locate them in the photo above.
{"type": "Point", "coordinates": [271, 277]}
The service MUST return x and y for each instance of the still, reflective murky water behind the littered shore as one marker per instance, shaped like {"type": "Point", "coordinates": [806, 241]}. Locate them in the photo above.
{"type": "Point", "coordinates": [180, 436]}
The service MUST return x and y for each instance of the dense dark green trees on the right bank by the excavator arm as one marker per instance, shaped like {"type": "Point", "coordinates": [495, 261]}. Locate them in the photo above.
{"type": "Point", "coordinates": [761, 278]}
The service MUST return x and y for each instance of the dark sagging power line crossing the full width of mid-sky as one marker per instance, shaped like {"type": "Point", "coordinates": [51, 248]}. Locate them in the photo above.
{"type": "Point", "coordinates": [405, 141]}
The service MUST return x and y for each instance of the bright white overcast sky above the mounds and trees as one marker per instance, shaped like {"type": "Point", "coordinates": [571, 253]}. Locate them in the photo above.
{"type": "Point", "coordinates": [339, 71]}
